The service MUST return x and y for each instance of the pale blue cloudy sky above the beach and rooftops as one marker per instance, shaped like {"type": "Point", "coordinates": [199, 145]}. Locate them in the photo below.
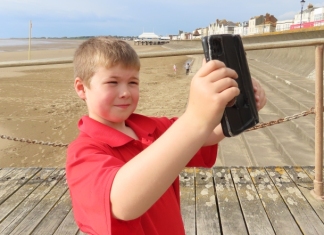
{"type": "Point", "coordinates": [74, 18]}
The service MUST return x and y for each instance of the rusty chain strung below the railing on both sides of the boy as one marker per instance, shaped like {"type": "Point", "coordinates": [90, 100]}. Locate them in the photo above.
{"type": "Point", "coordinates": [258, 126]}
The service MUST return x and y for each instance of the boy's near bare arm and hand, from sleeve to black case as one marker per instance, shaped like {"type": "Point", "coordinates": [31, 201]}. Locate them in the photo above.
{"type": "Point", "coordinates": [143, 180]}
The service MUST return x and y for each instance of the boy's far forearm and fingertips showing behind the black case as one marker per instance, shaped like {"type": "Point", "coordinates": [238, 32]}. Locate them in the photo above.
{"type": "Point", "coordinates": [260, 98]}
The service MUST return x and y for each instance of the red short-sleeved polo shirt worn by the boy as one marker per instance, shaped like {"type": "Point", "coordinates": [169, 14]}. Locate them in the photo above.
{"type": "Point", "coordinates": [92, 162]}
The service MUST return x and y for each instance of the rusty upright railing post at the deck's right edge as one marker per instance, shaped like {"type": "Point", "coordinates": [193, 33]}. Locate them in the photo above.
{"type": "Point", "coordinates": [317, 192]}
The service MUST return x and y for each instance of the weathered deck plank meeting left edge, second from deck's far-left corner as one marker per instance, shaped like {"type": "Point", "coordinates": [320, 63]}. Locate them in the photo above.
{"type": "Point", "coordinates": [14, 180]}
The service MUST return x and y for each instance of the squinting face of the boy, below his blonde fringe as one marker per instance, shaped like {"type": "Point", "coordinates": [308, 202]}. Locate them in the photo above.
{"type": "Point", "coordinates": [113, 94]}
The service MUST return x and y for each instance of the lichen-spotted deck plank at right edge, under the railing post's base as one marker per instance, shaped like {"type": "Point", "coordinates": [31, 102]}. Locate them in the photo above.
{"type": "Point", "coordinates": [304, 177]}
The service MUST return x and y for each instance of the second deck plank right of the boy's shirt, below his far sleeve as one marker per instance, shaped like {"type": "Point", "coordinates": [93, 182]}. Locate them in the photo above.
{"type": "Point", "coordinates": [206, 211]}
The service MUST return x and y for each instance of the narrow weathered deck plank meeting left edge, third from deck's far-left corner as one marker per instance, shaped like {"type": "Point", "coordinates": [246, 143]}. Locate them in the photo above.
{"type": "Point", "coordinates": [11, 203]}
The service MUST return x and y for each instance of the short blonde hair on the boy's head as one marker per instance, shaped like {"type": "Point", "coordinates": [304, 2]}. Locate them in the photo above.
{"type": "Point", "coordinates": [102, 51]}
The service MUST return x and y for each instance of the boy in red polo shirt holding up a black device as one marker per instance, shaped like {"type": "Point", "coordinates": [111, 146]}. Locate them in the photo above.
{"type": "Point", "coordinates": [123, 168]}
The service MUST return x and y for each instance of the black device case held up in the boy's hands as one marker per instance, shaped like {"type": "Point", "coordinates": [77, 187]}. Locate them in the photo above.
{"type": "Point", "coordinates": [229, 49]}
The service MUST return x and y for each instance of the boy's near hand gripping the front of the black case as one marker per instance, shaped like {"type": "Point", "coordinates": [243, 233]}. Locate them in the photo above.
{"type": "Point", "coordinates": [212, 88]}
